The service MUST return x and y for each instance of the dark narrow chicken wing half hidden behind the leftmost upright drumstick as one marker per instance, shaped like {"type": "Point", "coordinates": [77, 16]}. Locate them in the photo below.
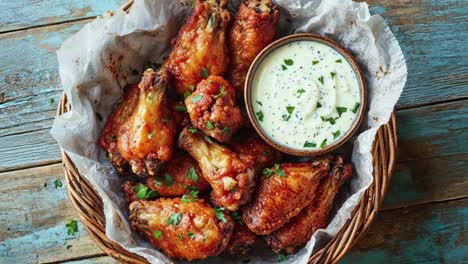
{"type": "Point", "coordinates": [108, 140]}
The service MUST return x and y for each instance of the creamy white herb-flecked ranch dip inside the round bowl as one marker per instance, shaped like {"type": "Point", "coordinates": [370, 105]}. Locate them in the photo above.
{"type": "Point", "coordinates": [305, 95]}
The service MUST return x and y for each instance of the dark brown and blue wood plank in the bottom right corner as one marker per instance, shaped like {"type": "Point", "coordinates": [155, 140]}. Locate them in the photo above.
{"type": "Point", "coordinates": [433, 233]}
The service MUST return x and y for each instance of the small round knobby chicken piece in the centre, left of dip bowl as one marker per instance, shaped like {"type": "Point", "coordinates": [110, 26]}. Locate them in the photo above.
{"type": "Point", "coordinates": [212, 108]}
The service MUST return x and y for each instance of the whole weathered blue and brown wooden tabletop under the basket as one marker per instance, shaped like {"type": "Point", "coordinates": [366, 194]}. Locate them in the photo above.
{"type": "Point", "coordinates": [425, 215]}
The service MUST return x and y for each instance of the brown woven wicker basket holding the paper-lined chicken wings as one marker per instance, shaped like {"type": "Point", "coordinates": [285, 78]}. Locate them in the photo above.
{"type": "Point", "coordinates": [90, 209]}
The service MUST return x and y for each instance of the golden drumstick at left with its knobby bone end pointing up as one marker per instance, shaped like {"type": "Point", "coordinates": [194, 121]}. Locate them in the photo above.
{"type": "Point", "coordinates": [146, 137]}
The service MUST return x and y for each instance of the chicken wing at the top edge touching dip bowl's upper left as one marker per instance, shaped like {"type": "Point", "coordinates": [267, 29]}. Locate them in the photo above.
{"type": "Point", "coordinates": [254, 27]}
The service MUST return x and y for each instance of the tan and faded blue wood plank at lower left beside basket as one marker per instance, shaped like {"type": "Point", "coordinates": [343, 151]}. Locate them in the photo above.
{"type": "Point", "coordinates": [33, 218]}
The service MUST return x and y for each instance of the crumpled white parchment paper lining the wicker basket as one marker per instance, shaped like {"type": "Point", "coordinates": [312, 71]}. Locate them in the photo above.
{"type": "Point", "coordinates": [113, 50]}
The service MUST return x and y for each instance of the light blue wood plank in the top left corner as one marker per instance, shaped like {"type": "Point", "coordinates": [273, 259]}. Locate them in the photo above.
{"type": "Point", "coordinates": [24, 14]}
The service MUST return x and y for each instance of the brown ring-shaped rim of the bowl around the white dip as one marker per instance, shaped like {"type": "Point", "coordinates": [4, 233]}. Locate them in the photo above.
{"type": "Point", "coordinates": [341, 50]}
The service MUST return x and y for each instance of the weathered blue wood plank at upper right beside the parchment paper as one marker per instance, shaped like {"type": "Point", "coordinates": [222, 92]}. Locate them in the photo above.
{"type": "Point", "coordinates": [432, 35]}
